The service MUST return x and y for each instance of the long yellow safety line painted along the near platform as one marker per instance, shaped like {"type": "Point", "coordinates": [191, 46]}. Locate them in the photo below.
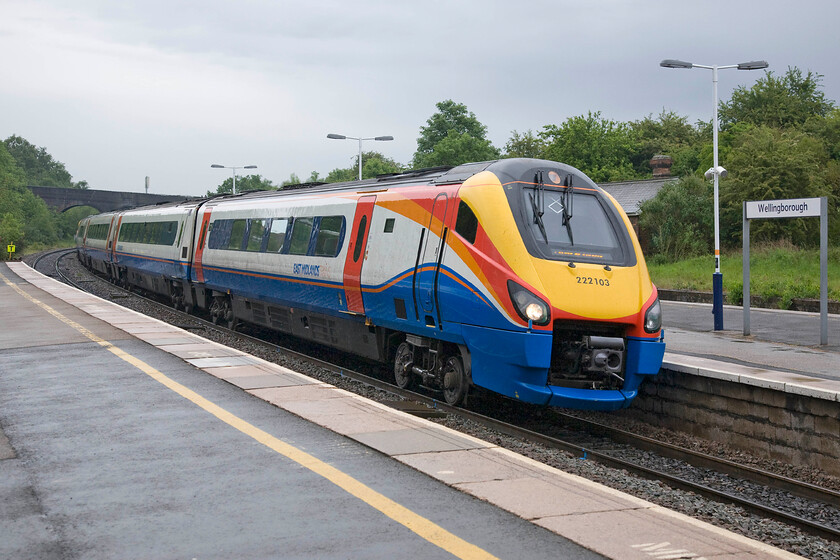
{"type": "Point", "coordinates": [418, 524]}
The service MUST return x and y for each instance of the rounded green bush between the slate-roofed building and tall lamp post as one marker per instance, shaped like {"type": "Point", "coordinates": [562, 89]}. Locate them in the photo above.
{"type": "Point", "coordinates": [679, 220]}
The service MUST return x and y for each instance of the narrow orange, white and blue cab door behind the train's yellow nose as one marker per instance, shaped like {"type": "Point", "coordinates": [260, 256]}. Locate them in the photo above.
{"type": "Point", "coordinates": [428, 263]}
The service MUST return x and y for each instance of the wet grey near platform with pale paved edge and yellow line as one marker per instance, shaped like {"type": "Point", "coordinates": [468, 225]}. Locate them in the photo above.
{"type": "Point", "coordinates": [131, 438]}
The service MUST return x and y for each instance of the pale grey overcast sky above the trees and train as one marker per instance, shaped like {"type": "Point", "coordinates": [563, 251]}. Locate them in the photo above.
{"type": "Point", "coordinates": [121, 90]}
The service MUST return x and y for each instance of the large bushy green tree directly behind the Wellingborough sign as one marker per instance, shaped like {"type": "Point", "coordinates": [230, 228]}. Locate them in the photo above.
{"type": "Point", "coordinates": [770, 164]}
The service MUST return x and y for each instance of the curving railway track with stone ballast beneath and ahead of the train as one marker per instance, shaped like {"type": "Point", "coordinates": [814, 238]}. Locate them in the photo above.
{"type": "Point", "coordinates": [805, 507]}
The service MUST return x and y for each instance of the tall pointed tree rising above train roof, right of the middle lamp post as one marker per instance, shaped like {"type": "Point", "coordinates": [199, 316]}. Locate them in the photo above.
{"type": "Point", "coordinates": [452, 136]}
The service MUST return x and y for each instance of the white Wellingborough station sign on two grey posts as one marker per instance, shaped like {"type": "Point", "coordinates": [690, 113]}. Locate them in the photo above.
{"type": "Point", "coordinates": [790, 208]}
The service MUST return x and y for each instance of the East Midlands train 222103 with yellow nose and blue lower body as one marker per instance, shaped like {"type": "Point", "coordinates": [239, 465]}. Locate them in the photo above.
{"type": "Point", "coordinates": [518, 276]}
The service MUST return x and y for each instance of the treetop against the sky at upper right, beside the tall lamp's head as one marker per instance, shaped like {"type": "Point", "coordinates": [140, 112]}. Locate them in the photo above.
{"type": "Point", "coordinates": [784, 101]}
